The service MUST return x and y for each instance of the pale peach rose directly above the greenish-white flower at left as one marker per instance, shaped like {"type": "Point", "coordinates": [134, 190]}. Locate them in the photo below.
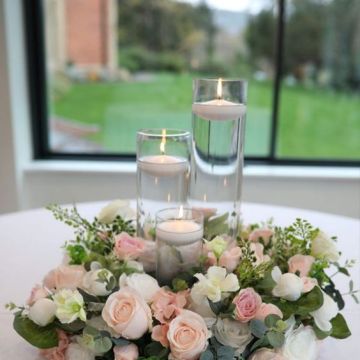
{"type": "Point", "coordinates": [65, 276]}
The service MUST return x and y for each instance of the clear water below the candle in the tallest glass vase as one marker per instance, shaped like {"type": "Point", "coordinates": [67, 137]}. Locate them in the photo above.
{"type": "Point", "coordinates": [216, 172]}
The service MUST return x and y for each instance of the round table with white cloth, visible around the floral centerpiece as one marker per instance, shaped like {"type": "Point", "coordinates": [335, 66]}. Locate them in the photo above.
{"type": "Point", "coordinates": [30, 247]}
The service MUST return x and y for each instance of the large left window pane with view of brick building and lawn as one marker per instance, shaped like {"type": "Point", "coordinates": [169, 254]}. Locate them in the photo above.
{"type": "Point", "coordinates": [118, 66]}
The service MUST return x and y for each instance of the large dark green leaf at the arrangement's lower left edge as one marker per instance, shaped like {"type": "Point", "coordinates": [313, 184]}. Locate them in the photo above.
{"type": "Point", "coordinates": [41, 337]}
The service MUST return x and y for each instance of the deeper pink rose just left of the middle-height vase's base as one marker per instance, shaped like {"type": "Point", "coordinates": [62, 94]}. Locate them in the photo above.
{"type": "Point", "coordinates": [128, 247]}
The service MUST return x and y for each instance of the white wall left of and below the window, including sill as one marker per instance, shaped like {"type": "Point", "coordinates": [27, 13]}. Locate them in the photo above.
{"type": "Point", "coordinates": [26, 184]}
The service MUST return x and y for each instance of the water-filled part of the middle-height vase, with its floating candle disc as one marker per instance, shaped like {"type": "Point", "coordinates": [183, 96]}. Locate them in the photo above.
{"type": "Point", "coordinates": [162, 182]}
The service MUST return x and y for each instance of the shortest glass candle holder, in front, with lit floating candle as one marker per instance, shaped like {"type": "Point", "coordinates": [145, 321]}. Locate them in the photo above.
{"type": "Point", "coordinates": [179, 238]}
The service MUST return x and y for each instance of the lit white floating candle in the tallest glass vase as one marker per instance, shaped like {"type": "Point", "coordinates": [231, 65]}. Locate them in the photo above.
{"type": "Point", "coordinates": [219, 108]}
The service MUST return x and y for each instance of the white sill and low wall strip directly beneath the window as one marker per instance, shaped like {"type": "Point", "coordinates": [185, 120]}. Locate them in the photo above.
{"type": "Point", "coordinates": [329, 190]}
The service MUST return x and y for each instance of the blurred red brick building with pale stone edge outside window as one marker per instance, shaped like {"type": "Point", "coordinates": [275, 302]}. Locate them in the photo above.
{"type": "Point", "coordinates": [82, 33]}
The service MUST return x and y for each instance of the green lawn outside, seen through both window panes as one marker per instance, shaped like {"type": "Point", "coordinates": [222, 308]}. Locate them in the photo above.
{"type": "Point", "coordinates": [313, 123]}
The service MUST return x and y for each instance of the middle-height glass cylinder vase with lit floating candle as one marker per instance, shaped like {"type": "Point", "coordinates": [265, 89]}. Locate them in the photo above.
{"type": "Point", "coordinates": [163, 165]}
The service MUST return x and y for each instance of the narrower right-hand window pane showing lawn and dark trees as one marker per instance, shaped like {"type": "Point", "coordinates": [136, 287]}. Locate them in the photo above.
{"type": "Point", "coordinates": [320, 97]}
